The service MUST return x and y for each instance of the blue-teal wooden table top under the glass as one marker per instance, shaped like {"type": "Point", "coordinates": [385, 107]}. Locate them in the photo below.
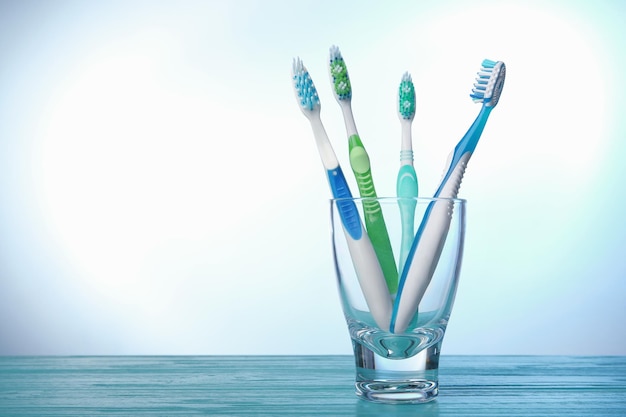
{"type": "Point", "coordinates": [302, 386]}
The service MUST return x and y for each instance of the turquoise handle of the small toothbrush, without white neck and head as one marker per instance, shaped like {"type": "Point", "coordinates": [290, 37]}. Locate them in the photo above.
{"type": "Point", "coordinates": [407, 190]}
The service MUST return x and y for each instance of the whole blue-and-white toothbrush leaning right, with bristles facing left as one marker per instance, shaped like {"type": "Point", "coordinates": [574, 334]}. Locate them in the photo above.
{"type": "Point", "coordinates": [430, 237]}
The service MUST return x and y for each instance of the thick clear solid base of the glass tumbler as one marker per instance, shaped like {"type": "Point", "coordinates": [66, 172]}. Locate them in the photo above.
{"type": "Point", "coordinates": [411, 380]}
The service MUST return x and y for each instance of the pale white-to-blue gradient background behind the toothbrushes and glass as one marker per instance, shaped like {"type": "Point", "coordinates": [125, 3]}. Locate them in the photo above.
{"type": "Point", "coordinates": [161, 193]}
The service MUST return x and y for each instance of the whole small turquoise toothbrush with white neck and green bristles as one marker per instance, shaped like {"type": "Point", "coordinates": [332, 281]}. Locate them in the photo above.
{"type": "Point", "coordinates": [406, 185]}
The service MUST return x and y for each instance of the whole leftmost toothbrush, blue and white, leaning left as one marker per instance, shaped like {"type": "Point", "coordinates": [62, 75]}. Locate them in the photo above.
{"type": "Point", "coordinates": [368, 270]}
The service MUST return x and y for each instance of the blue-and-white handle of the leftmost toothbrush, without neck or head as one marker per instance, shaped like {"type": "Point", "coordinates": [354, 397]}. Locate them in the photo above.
{"type": "Point", "coordinates": [364, 259]}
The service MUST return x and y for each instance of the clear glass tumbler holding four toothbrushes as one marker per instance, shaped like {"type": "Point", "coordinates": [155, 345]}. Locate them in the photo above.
{"type": "Point", "coordinates": [397, 264]}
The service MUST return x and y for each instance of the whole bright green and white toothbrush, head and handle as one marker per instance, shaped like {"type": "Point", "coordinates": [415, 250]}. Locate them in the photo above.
{"type": "Point", "coordinates": [360, 163]}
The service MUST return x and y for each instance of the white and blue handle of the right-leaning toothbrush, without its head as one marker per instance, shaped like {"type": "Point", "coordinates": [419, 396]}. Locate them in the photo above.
{"type": "Point", "coordinates": [426, 248]}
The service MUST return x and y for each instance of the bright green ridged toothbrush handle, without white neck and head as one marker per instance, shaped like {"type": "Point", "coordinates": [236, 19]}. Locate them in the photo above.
{"type": "Point", "coordinates": [374, 221]}
